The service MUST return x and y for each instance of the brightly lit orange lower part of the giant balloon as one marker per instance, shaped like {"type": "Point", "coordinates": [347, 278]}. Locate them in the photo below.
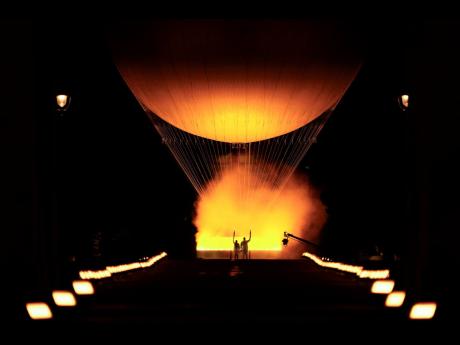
{"type": "Point", "coordinates": [239, 114]}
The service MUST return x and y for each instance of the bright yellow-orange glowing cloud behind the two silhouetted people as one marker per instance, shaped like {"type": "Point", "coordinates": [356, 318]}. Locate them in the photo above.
{"type": "Point", "coordinates": [244, 198]}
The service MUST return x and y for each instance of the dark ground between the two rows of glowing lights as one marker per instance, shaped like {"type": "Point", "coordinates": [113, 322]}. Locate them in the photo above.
{"type": "Point", "coordinates": [220, 292]}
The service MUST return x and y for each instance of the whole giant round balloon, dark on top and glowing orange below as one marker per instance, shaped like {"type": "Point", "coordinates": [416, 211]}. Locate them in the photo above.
{"type": "Point", "coordinates": [237, 81]}
